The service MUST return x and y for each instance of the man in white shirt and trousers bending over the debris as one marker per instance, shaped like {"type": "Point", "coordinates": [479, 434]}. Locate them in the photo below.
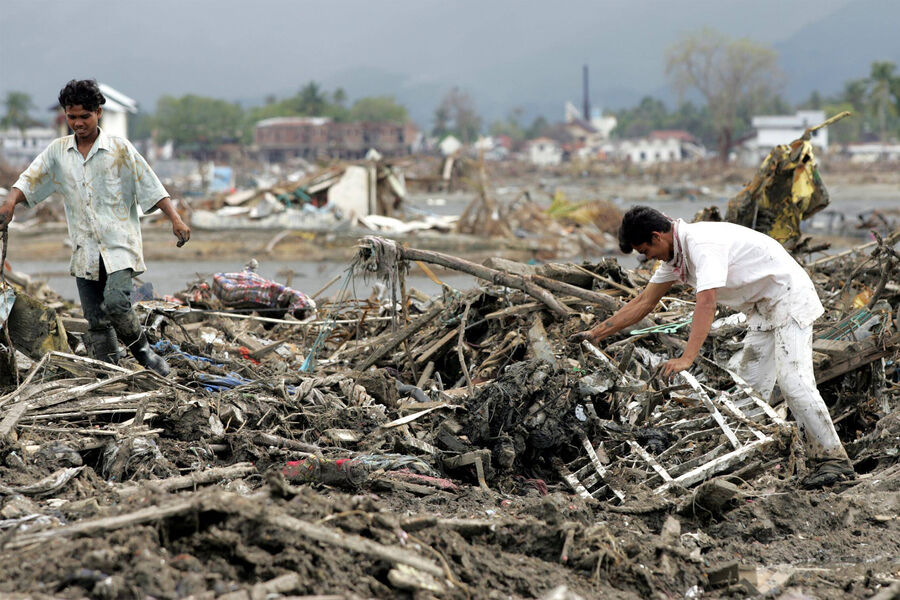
{"type": "Point", "coordinates": [753, 273]}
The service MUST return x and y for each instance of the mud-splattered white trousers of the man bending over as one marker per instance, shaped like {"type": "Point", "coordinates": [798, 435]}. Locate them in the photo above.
{"type": "Point", "coordinates": [784, 355]}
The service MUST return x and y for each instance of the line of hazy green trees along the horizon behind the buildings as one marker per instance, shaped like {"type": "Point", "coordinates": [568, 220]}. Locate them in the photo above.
{"type": "Point", "coordinates": [720, 83]}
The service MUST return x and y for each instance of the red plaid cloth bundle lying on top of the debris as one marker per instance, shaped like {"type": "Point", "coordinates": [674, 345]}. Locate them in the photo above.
{"type": "Point", "coordinates": [246, 287]}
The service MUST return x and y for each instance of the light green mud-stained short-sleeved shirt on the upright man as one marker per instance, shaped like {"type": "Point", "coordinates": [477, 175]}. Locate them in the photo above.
{"type": "Point", "coordinates": [102, 194]}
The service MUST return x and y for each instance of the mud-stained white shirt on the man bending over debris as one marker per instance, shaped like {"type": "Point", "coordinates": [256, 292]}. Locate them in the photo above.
{"type": "Point", "coordinates": [750, 271]}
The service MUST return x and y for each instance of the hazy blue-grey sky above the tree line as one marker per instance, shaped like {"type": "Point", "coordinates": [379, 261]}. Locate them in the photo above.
{"type": "Point", "coordinates": [505, 52]}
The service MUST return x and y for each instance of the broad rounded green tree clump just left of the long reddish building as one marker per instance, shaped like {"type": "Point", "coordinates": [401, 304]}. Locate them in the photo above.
{"type": "Point", "coordinates": [198, 122]}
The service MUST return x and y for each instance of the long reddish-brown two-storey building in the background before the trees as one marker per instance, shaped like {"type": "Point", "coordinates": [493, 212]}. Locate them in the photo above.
{"type": "Point", "coordinates": [282, 138]}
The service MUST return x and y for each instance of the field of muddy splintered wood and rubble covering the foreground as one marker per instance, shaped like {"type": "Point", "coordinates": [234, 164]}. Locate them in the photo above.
{"type": "Point", "coordinates": [395, 445]}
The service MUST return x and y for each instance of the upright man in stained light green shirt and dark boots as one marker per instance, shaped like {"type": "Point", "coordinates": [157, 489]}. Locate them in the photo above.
{"type": "Point", "coordinates": [103, 180]}
